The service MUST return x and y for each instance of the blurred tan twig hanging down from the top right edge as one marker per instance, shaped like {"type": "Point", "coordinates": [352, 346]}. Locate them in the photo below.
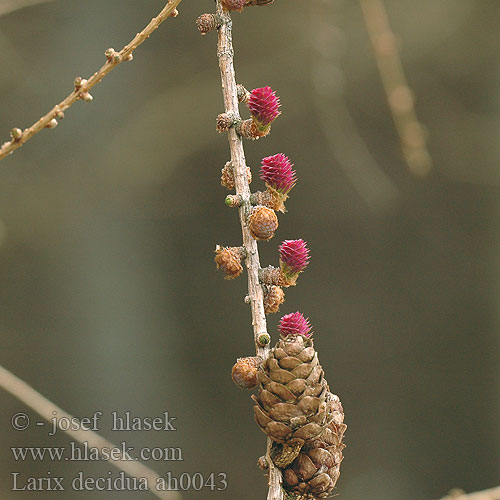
{"type": "Point", "coordinates": [399, 95]}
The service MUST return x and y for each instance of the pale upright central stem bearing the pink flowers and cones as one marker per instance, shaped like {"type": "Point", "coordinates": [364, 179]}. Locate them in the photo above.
{"type": "Point", "coordinates": [225, 53]}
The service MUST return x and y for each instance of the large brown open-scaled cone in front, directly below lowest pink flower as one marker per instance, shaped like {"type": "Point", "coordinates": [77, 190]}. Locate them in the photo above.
{"type": "Point", "coordinates": [292, 403]}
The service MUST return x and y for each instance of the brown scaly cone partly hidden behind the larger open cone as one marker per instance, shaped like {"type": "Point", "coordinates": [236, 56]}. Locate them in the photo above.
{"type": "Point", "coordinates": [315, 471]}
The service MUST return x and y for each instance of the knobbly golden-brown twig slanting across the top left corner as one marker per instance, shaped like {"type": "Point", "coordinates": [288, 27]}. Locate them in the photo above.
{"type": "Point", "coordinates": [81, 91]}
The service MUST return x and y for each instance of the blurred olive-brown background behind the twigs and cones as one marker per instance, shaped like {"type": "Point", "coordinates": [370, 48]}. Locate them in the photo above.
{"type": "Point", "coordinates": [110, 299]}
